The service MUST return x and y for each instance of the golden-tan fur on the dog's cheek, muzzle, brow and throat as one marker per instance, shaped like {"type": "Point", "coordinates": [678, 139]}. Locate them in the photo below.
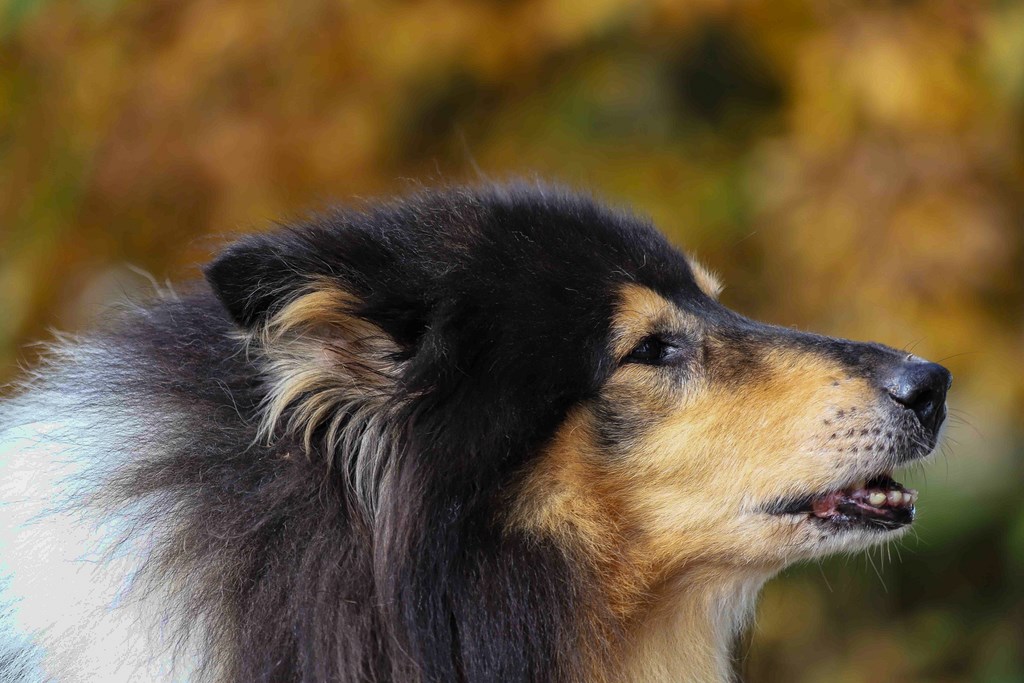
{"type": "Point", "coordinates": [674, 529]}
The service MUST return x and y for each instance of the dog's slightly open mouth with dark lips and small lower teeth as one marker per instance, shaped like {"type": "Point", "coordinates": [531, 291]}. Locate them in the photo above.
{"type": "Point", "coordinates": [880, 503]}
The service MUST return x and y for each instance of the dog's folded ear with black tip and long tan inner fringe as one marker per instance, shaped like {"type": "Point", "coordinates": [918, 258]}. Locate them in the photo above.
{"type": "Point", "coordinates": [330, 370]}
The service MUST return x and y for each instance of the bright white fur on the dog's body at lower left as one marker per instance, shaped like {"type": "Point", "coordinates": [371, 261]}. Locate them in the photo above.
{"type": "Point", "coordinates": [66, 569]}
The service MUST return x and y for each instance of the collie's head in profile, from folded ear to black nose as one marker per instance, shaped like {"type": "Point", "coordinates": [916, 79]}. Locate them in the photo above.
{"type": "Point", "coordinates": [522, 365]}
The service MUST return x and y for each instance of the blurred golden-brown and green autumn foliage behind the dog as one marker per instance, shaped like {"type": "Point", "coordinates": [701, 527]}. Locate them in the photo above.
{"type": "Point", "coordinates": [849, 167]}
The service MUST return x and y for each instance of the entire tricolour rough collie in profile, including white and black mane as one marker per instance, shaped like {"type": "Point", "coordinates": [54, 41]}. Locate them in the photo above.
{"type": "Point", "coordinates": [500, 434]}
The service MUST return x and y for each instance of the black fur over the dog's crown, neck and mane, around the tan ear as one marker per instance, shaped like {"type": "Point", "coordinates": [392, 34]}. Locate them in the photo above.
{"type": "Point", "coordinates": [499, 300]}
